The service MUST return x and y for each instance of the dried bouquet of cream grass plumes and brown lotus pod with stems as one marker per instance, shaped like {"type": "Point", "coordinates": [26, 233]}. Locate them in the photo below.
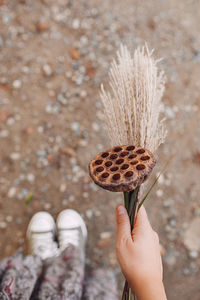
{"type": "Point", "coordinates": [132, 108]}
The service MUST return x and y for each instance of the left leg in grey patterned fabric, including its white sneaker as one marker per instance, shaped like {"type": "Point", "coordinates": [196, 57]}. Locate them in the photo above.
{"type": "Point", "coordinates": [18, 274]}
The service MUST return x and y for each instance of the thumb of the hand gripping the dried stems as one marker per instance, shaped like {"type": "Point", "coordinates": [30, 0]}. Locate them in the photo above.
{"type": "Point", "coordinates": [123, 225]}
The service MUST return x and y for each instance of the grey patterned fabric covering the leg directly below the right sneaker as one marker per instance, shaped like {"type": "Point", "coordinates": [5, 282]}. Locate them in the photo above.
{"type": "Point", "coordinates": [63, 276]}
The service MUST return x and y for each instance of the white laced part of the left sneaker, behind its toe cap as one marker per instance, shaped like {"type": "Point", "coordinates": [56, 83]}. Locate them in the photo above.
{"type": "Point", "coordinates": [42, 243]}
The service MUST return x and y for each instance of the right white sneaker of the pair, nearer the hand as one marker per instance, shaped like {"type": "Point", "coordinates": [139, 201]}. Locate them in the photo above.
{"type": "Point", "coordinates": [71, 229]}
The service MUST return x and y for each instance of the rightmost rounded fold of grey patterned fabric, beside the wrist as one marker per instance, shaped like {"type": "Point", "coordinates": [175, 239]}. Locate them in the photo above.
{"type": "Point", "coordinates": [100, 285]}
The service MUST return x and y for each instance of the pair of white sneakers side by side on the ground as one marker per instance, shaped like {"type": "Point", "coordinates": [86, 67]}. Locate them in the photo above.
{"type": "Point", "coordinates": [43, 232]}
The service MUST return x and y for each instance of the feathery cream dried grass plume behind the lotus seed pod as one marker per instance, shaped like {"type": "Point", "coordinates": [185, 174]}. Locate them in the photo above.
{"type": "Point", "coordinates": [133, 104]}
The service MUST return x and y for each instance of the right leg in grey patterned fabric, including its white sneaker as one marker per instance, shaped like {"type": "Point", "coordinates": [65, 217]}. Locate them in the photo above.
{"type": "Point", "coordinates": [63, 275]}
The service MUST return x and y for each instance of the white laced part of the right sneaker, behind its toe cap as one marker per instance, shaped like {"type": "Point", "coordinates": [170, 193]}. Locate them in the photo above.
{"type": "Point", "coordinates": [69, 236]}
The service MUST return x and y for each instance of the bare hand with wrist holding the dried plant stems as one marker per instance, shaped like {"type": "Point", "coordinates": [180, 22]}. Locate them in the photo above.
{"type": "Point", "coordinates": [139, 255]}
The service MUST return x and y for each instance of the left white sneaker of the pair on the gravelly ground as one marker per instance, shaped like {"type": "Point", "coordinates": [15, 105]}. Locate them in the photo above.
{"type": "Point", "coordinates": [41, 235]}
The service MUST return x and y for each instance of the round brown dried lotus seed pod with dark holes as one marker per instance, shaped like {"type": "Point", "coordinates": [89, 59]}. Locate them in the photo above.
{"type": "Point", "coordinates": [121, 168]}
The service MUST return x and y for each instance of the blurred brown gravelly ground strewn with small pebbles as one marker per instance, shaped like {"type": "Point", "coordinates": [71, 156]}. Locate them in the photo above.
{"type": "Point", "coordinates": [53, 57]}
